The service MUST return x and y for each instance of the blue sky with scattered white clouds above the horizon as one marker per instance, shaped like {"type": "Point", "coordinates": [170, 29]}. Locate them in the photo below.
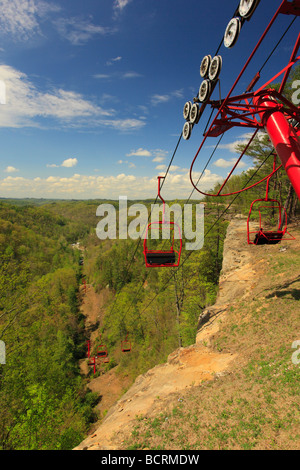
{"type": "Point", "coordinates": [95, 92]}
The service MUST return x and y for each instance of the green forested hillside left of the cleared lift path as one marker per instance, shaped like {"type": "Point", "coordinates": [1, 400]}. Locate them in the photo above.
{"type": "Point", "coordinates": [43, 404]}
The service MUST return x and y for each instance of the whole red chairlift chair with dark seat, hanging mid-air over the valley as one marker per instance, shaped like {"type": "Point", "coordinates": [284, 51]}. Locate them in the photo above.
{"type": "Point", "coordinates": [162, 258]}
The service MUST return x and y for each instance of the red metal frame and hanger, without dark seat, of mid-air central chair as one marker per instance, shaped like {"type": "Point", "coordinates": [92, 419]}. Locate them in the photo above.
{"type": "Point", "coordinates": [161, 224]}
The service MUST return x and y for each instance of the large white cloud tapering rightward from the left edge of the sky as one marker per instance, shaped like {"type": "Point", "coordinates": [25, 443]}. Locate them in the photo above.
{"type": "Point", "coordinates": [27, 106]}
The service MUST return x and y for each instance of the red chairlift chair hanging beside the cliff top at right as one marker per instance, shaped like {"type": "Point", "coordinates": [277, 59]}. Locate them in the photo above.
{"type": "Point", "coordinates": [268, 237]}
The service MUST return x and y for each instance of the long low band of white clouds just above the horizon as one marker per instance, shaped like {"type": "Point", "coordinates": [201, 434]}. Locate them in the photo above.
{"type": "Point", "coordinates": [84, 186]}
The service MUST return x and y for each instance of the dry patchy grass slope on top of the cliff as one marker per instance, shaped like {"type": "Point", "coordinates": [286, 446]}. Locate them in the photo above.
{"type": "Point", "coordinates": [256, 405]}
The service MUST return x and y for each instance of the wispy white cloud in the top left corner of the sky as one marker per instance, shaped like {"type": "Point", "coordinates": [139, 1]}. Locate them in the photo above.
{"type": "Point", "coordinates": [20, 18]}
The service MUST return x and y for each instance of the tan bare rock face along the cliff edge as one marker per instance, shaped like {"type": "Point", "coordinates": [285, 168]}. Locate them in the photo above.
{"type": "Point", "coordinates": [186, 367]}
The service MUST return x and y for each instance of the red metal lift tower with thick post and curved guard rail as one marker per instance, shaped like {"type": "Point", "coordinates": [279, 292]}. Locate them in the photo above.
{"type": "Point", "coordinates": [241, 111]}
